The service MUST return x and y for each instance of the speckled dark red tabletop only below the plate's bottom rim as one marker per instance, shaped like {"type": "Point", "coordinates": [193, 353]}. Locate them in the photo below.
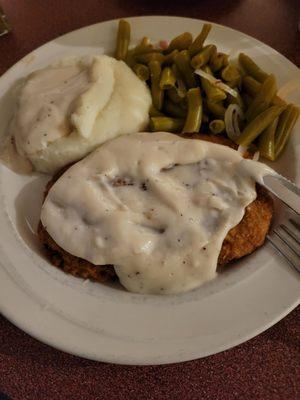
{"type": "Point", "coordinates": [266, 367]}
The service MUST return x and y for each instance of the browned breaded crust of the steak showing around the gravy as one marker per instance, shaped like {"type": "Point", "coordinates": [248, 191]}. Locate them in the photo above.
{"type": "Point", "coordinates": [241, 240]}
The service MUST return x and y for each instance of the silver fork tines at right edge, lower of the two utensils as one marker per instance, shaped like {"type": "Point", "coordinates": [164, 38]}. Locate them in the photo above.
{"type": "Point", "coordinates": [286, 240]}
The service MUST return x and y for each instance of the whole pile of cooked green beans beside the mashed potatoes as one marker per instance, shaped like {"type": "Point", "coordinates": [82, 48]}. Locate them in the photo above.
{"type": "Point", "coordinates": [182, 101]}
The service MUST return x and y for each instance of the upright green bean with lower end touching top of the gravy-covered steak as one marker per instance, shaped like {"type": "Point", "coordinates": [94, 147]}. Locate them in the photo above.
{"type": "Point", "coordinates": [194, 116]}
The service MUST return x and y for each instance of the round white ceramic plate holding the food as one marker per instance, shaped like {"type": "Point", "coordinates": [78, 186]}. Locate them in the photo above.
{"type": "Point", "coordinates": [109, 324]}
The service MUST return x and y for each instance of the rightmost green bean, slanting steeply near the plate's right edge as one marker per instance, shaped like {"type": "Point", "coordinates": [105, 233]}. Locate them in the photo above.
{"type": "Point", "coordinates": [287, 121]}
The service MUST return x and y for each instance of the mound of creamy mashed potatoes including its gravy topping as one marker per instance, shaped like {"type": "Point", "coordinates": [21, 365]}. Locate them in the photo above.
{"type": "Point", "coordinates": [65, 112]}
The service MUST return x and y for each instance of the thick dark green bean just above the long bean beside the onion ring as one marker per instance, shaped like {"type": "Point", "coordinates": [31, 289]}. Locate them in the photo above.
{"type": "Point", "coordinates": [263, 98]}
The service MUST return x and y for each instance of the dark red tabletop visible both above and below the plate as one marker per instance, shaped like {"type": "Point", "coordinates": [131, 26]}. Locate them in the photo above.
{"type": "Point", "coordinates": [266, 367]}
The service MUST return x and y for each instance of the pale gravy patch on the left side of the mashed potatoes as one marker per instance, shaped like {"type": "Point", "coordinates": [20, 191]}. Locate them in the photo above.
{"type": "Point", "coordinates": [45, 104]}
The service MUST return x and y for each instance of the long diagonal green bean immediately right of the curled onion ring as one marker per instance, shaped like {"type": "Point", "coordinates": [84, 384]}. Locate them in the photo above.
{"type": "Point", "coordinates": [258, 125]}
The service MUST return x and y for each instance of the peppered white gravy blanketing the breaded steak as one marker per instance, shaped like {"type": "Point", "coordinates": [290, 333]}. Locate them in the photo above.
{"type": "Point", "coordinates": [156, 206]}
